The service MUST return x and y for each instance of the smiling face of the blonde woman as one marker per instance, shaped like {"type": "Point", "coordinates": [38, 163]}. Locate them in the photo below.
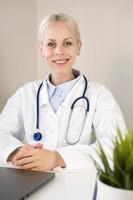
{"type": "Point", "coordinates": [60, 47]}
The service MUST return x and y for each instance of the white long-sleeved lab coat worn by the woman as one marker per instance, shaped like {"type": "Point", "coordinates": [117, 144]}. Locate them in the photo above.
{"type": "Point", "coordinates": [18, 122]}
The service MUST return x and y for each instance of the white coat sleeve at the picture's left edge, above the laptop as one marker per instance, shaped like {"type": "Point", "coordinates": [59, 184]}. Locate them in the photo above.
{"type": "Point", "coordinates": [11, 127]}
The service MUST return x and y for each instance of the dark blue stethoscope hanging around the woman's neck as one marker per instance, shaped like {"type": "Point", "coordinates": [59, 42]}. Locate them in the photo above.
{"type": "Point", "coordinates": [37, 136]}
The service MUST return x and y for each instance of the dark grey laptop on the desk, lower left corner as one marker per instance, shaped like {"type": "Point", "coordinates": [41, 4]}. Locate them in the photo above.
{"type": "Point", "coordinates": [17, 184]}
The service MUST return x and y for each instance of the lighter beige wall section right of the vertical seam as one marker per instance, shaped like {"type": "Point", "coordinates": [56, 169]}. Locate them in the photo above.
{"type": "Point", "coordinates": [107, 34]}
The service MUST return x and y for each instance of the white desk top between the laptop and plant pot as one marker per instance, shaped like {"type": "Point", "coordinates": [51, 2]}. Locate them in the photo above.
{"type": "Point", "coordinates": [67, 186]}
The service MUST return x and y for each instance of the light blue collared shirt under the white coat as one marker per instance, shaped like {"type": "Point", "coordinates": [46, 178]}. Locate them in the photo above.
{"type": "Point", "coordinates": [57, 94]}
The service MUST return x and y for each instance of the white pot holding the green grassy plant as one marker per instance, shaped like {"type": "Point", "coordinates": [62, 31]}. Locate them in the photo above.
{"type": "Point", "coordinates": [106, 192]}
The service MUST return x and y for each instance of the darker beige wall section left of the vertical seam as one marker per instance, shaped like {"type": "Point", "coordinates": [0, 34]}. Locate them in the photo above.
{"type": "Point", "coordinates": [18, 40]}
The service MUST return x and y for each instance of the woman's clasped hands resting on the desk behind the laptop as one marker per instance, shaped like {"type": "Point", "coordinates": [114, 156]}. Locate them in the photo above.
{"type": "Point", "coordinates": [37, 158]}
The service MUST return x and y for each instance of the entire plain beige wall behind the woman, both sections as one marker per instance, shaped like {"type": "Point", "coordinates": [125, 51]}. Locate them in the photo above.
{"type": "Point", "coordinates": [107, 44]}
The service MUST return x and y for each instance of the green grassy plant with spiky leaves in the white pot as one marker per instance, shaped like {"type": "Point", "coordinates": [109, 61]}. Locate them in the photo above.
{"type": "Point", "coordinates": [121, 175]}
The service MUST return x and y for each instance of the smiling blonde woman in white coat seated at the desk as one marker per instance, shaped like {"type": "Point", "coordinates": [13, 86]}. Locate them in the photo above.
{"type": "Point", "coordinates": [45, 134]}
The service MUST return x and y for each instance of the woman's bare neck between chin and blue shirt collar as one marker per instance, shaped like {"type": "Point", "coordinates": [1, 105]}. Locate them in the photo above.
{"type": "Point", "coordinates": [57, 79]}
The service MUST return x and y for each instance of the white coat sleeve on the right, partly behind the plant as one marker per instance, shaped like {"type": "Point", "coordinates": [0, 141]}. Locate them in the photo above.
{"type": "Point", "coordinates": [107, 117]}
